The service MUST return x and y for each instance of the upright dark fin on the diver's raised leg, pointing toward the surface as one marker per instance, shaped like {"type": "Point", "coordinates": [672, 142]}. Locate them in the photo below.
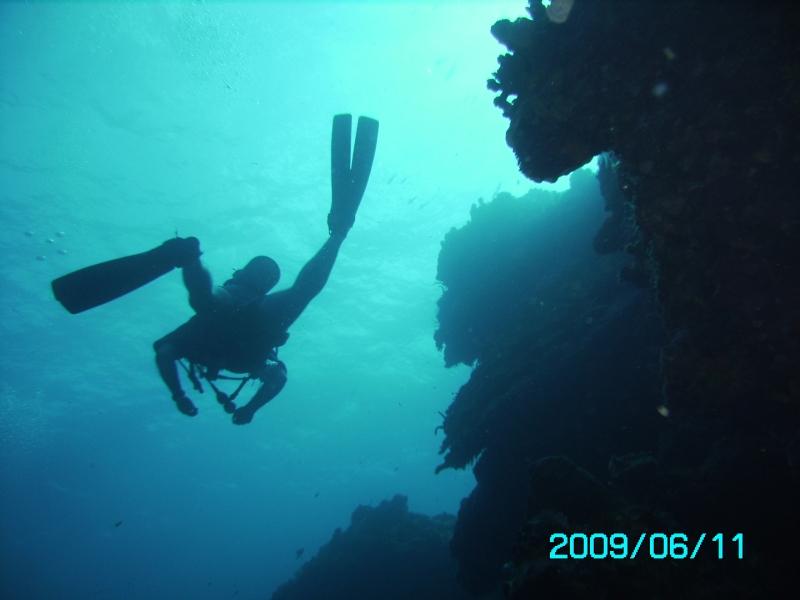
{"type": "Point", "coordinates": [348, 181]}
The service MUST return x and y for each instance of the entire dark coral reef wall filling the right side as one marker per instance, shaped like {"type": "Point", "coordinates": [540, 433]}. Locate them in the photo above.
{"type": "Point", "coordinates": [698, 105]}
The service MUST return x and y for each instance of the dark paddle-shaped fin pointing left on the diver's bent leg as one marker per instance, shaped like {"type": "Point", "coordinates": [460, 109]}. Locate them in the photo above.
{"type": "Point", "coordinates": [95, 285]}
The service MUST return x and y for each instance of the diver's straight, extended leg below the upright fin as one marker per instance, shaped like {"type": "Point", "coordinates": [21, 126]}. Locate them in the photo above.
{"type": "Point", "coordinates": [287, 305]}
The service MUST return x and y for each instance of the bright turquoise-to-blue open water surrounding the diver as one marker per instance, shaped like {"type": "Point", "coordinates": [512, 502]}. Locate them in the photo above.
{"type": "Point", "coordinates": [122, 124]}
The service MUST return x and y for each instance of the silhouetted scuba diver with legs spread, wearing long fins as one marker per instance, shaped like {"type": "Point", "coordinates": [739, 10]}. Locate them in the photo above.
{"type": "Point", "coordinates": [239, 326]}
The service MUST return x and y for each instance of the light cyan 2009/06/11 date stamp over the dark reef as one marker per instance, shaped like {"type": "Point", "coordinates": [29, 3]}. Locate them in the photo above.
{"type": "Point", "coordinates": [658, 546]}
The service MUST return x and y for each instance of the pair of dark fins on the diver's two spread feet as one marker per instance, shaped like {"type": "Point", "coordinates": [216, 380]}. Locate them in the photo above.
{"type": "Point", "coordinates": [97, 284]}
